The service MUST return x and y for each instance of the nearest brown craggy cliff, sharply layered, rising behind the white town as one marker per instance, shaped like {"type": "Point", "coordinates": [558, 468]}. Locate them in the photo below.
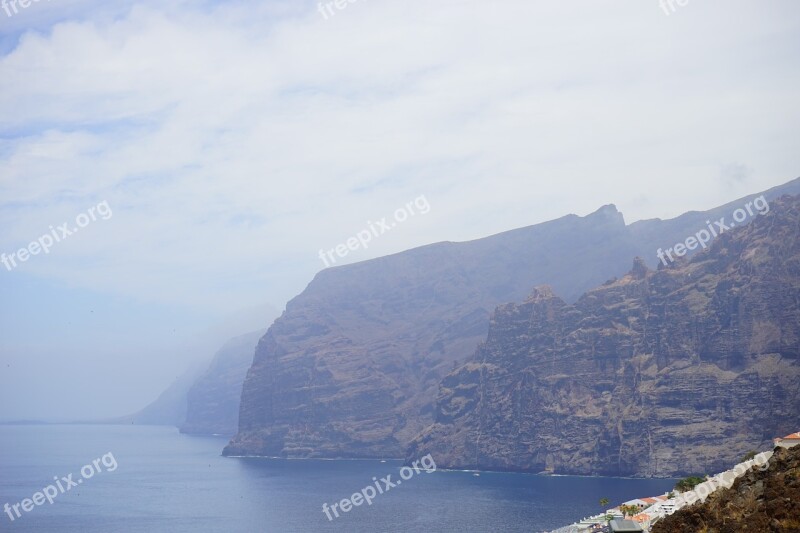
{"type": "Point", "coordinates": [659, 373]}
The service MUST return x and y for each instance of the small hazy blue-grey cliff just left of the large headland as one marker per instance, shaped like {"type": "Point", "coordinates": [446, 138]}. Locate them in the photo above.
{"type": "Point", "coordinates": [212, 402]}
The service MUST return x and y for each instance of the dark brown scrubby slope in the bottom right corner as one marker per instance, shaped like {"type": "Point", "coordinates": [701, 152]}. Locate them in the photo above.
{"type": "Point", "coordinates": [761, 500]}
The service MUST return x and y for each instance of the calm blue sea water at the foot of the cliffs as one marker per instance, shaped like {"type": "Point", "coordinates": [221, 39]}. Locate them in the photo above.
{"type": "Point", "coordinates": [165, 481]}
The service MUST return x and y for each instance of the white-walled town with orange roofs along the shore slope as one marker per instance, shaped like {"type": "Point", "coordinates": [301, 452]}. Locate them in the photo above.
{"type": "Point", "coordinates": [639, 515]}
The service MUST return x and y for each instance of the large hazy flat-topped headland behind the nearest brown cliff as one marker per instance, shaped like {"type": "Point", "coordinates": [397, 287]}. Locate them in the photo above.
{"type": "Point", "coordinates": [353, 366]}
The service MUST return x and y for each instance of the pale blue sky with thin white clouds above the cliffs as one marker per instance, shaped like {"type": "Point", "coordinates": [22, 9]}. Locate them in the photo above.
{"type": "Point", "coordinates": [207, 152]}
